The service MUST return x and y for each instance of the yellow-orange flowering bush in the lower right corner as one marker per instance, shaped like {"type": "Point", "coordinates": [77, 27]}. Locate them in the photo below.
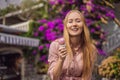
{"type": "Point", "coordinates": [110, 67]}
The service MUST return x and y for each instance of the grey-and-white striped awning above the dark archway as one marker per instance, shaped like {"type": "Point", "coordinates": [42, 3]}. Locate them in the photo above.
{"type": "Point", "coordinates": [18, 40]}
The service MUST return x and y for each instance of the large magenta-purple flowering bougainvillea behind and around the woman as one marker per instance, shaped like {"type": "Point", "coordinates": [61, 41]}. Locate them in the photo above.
{"type": "Point", "coordinates": [50, 28]}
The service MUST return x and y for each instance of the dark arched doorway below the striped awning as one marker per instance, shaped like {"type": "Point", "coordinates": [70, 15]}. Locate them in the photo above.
{"type": "Point", "coordinates": [10, 65]}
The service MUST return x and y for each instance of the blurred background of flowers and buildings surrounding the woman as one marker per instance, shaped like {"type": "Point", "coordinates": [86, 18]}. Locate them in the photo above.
{"type": "Point", "coordinates": [27, 27]}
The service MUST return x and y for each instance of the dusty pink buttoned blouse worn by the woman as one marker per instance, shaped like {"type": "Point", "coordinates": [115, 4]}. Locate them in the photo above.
{"type": "Point", "coordinates": [72, 72]}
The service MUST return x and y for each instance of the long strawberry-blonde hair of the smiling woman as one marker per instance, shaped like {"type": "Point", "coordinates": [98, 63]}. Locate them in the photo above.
{"type": "Point", "coordinates": [87, 46]}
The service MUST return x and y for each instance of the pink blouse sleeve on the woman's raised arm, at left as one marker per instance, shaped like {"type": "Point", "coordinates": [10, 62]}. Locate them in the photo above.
{"type": "Point", "coordinates": [52, 58]}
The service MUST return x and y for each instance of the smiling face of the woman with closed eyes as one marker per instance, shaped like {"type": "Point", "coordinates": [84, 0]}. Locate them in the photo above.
{"type": "Point", "coordinates": [74, 24]}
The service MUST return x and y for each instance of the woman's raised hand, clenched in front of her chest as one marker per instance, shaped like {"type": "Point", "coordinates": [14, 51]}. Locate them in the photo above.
{"type": "Point", "coordinates": [62, 53]}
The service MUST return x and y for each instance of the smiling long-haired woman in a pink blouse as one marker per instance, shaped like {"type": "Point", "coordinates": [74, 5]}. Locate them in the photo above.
{"type": "Point", "coordinates": [75, 60]}
